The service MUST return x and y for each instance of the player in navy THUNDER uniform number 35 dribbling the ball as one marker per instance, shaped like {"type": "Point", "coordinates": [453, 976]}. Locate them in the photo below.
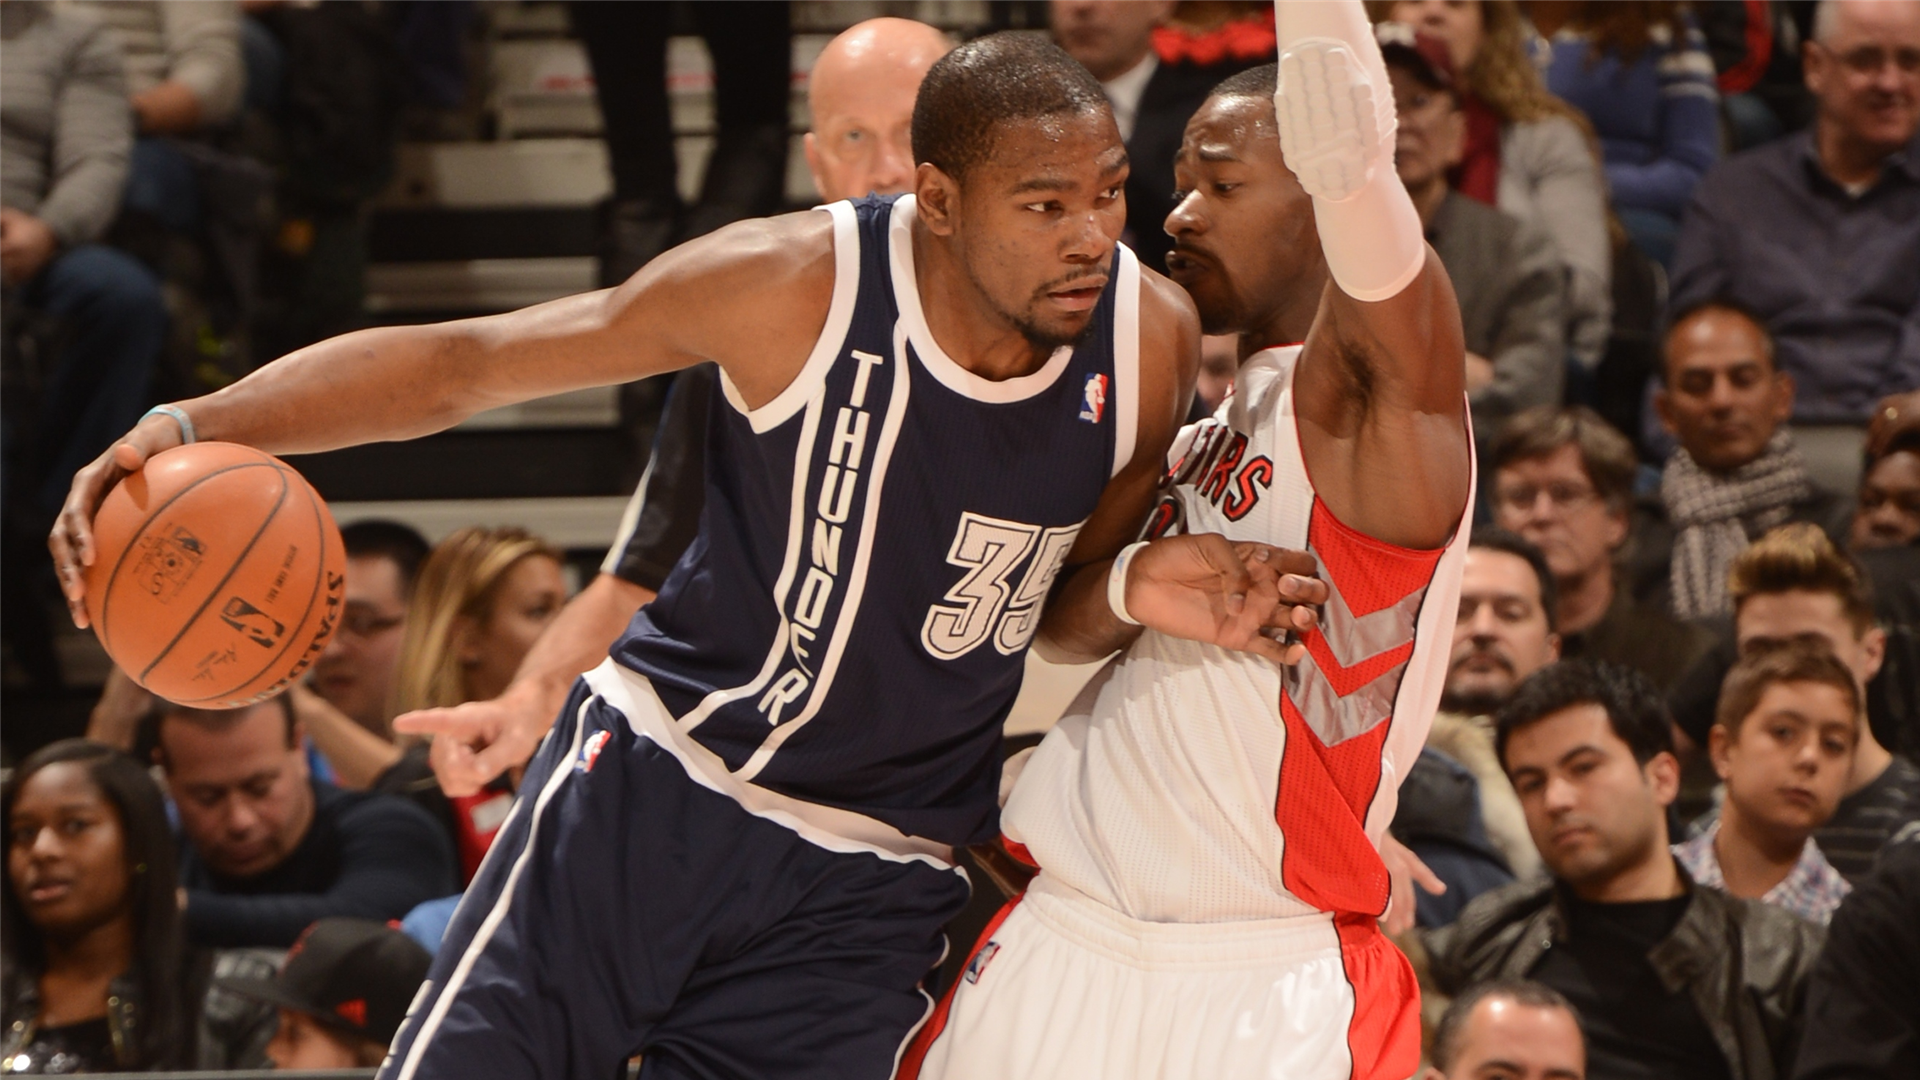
{"type": "Point", "coordinates": [732, 850]}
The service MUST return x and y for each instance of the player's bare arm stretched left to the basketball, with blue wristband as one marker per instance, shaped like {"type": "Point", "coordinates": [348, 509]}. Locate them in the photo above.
{"type": "Point", "coordinates": [752, 297]}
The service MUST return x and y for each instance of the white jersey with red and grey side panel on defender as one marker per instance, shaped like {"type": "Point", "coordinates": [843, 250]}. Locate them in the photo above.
{"type": "Point", "coordinates": [1201, 785]}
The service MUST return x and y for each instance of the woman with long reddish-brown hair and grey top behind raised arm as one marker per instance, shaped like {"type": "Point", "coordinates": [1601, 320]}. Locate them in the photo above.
{"type": "Point", "coordinates": [1525, 151]}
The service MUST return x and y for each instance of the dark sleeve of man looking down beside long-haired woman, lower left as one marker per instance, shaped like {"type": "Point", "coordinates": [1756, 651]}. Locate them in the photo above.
{"type": "Point", "coordinates": [393, 858]}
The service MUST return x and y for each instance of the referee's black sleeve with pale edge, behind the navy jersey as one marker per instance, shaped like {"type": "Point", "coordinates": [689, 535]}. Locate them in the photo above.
{"type": "Point", "coordinates": [665, 514]}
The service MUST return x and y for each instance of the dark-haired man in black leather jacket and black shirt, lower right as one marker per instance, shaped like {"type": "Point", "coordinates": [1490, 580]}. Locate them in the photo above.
{"type": "Point", "coordinates": [1669, 979]}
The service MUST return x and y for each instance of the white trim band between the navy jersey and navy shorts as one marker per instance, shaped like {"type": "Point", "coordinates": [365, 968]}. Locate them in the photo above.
{"type": "Point", "coordinates": [825, 827]}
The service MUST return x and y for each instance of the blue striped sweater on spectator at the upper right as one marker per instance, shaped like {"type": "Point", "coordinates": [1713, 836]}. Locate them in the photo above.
{"type": "Point", "coordinates": [1658, 118]}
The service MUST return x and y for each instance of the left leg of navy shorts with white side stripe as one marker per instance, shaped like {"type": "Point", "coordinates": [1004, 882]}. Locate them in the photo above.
{"type": "Point", "coordinates": [581, 923]}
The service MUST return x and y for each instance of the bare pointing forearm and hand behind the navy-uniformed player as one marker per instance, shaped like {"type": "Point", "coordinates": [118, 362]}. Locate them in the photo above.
{"type": "Point", "coordinates": [481, 741]}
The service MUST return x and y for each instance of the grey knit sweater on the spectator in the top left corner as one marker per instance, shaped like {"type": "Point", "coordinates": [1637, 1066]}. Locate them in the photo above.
{"type": "Point", "coordinates": [66, 128]}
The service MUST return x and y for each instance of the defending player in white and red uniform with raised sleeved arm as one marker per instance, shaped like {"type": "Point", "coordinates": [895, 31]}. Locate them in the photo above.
{"type": "Point", "coordinates": [1207, 825]}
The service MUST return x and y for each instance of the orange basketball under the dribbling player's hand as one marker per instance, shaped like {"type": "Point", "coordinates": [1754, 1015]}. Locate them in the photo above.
{"type": "Point", "coordinates": [218, 576]}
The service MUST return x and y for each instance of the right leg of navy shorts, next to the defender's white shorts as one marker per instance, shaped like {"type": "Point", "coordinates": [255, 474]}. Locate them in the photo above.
{"type": "Point", "coordinates": [828, 993]}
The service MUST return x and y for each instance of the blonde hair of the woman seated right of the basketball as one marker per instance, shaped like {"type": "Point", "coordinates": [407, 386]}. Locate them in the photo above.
{"type": "Point", "coordinates": [458, 581]}
